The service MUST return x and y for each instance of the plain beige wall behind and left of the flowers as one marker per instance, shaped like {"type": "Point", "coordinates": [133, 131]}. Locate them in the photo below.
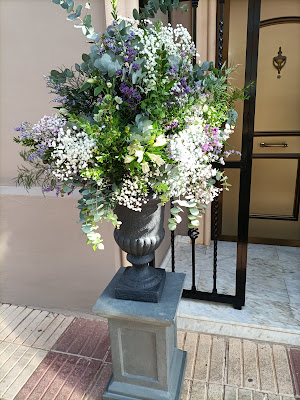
{"type": "Point", "coordinates": [44, 261]}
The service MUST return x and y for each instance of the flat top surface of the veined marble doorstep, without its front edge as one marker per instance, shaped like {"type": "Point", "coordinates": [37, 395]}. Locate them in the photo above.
{"type": "Point", "coordinates": [272, 290]}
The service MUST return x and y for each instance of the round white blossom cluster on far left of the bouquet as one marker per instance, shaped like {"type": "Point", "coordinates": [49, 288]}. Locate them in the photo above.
{"type": "Point", "coordinates": [72, 151]}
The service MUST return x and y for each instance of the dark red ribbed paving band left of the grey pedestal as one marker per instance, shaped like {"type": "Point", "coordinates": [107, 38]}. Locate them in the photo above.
{"type": "Point", "coordinates": [74, 368]}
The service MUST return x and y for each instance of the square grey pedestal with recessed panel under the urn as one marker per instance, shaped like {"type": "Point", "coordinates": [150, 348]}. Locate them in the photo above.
{"type": "Point", "coordinates": [146, 362]}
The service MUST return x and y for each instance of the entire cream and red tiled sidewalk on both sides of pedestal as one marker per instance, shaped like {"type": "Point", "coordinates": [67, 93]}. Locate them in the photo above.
{"type": "Point", "coordinates": [46, 356]}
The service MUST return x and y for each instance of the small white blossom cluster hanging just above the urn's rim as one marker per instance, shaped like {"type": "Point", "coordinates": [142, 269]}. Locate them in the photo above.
{"type": "Point", "coordinates": [132, 194]}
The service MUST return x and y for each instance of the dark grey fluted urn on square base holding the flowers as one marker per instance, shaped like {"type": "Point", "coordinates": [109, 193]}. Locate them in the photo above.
{"type": "Point", "coordinates": [139, 235]}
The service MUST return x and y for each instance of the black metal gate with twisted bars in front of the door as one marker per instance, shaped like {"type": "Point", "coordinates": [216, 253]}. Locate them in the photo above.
{"type": "Point", "coordinates": [237, 300]}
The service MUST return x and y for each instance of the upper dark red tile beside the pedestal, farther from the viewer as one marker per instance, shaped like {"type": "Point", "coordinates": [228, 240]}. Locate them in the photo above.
{"type": "Point", "coordinates": [89, 338]}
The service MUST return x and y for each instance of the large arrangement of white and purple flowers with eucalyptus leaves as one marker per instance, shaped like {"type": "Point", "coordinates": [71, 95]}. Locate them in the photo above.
{"type": "Point", "coordinates": [136, 116]}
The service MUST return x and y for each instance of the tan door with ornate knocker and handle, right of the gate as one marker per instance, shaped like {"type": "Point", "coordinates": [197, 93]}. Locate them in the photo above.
{"type": "Point", "coordinates": [274, 188]}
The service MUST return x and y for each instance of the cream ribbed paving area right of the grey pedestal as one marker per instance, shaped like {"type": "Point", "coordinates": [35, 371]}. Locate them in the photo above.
{"type": "Point", "coordinates": [222, 368]}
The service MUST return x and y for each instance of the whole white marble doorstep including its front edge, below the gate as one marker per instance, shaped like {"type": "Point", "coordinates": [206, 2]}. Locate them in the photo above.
{"type": "Point", "coordinates": [271, 313]}
